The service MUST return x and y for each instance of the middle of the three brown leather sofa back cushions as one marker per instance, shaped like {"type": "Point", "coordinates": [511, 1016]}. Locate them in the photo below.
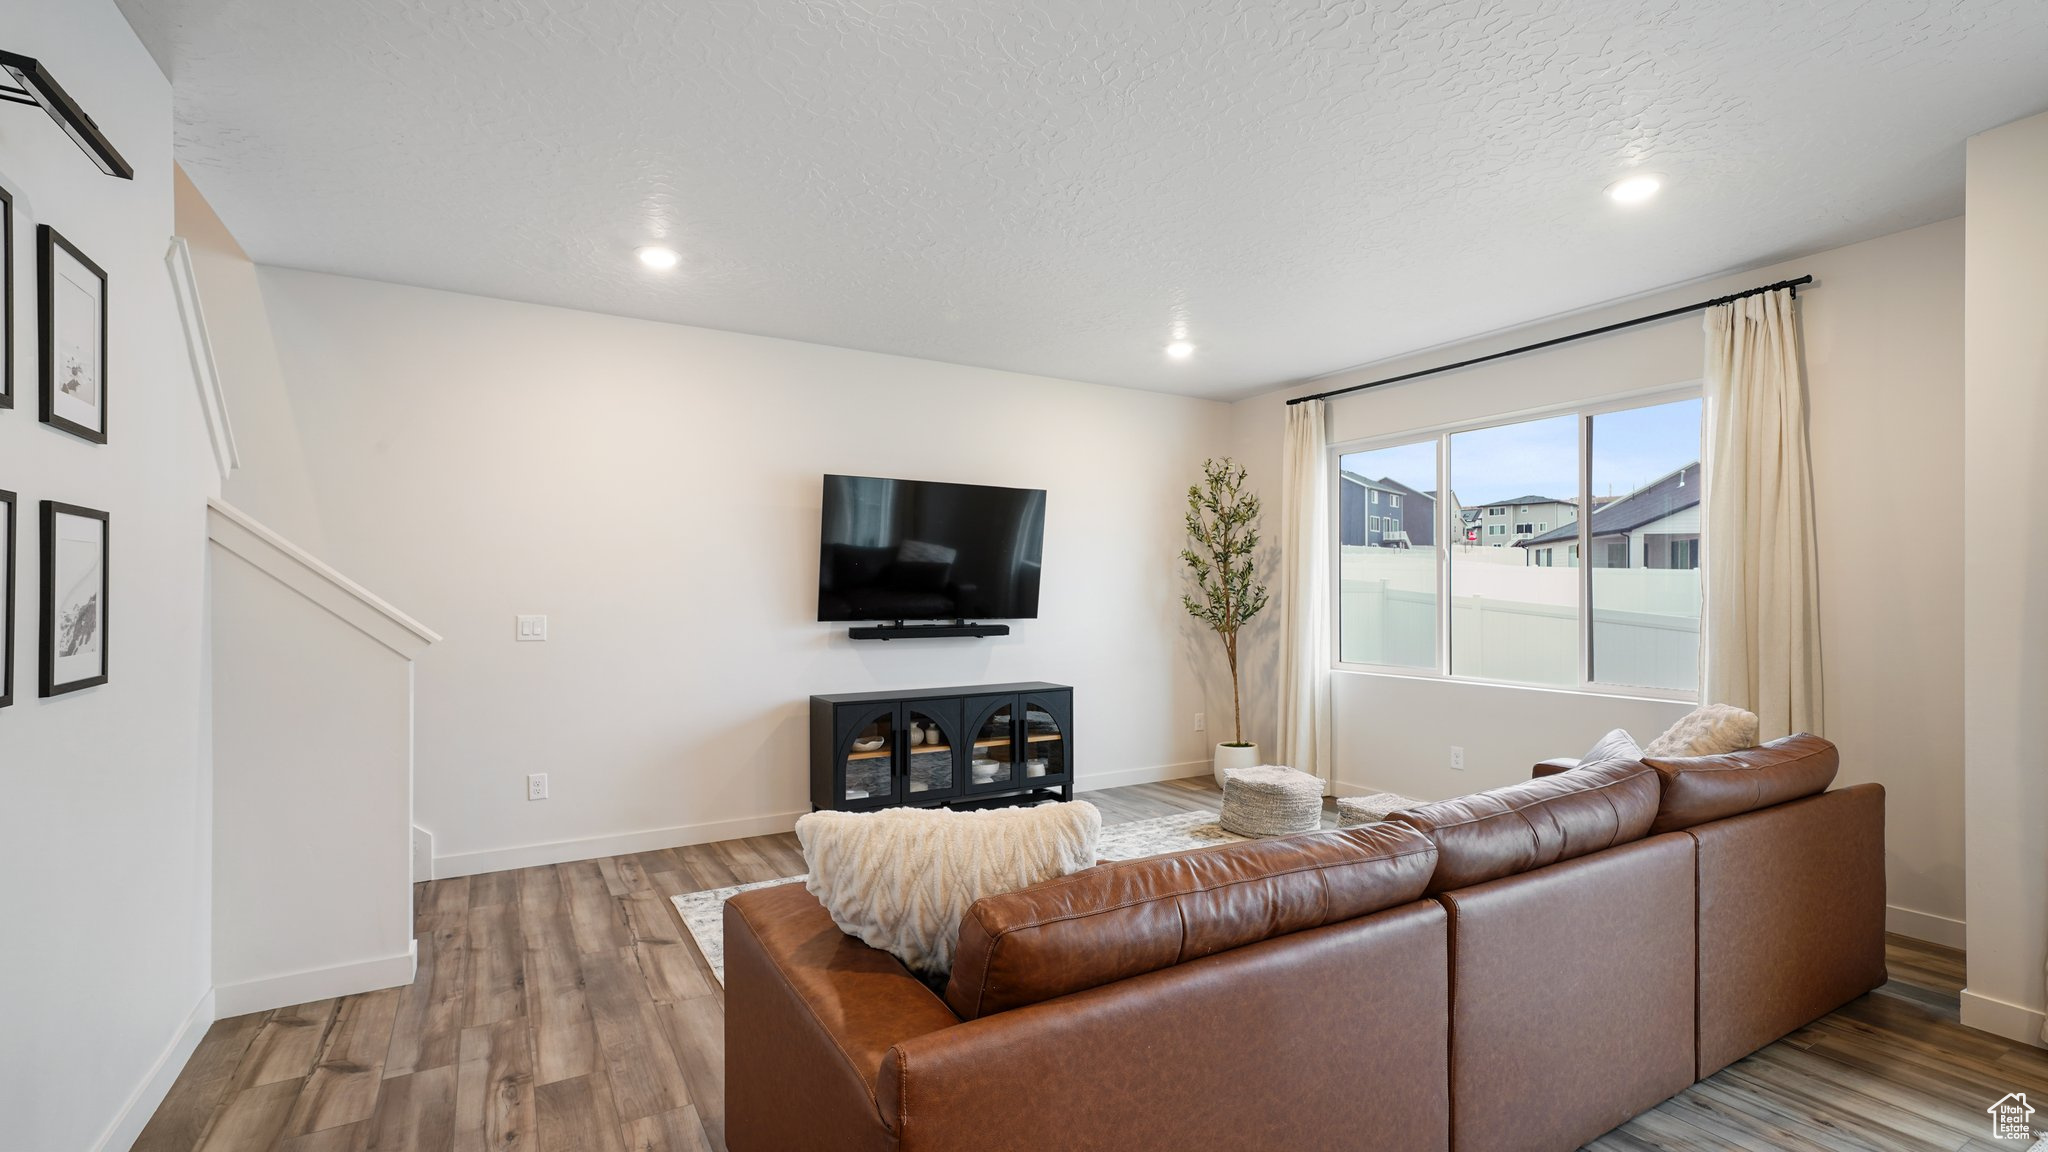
{"type": "Point", "coordinates": [1539, 823]}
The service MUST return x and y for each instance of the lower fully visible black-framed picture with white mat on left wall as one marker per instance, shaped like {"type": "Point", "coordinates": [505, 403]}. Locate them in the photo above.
{"type": "Point", "coordinates": [75, 598]}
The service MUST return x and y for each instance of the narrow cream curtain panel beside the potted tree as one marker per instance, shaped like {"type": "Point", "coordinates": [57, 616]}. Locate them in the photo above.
{"type": "Point", "coordinates": [1306, 559]}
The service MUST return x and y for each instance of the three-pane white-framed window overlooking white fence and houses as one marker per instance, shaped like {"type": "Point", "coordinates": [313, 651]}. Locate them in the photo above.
{"type": "Point", "coordinates": [1566, 550]}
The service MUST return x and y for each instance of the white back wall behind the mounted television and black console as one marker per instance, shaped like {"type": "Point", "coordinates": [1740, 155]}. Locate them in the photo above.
{"type": "Point", "coordinates": [654, 491]}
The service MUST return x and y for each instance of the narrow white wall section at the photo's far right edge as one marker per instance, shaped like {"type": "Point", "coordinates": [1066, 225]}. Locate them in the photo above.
{"type": "Point", "coordinates": [2006, 577]}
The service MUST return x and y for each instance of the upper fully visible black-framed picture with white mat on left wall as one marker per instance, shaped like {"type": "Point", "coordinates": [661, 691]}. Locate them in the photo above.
{"type": "Point", "coordinates": [71, 296]}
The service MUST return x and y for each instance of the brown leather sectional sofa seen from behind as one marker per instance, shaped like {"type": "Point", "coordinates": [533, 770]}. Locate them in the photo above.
{"type": "Point", "coordinates": [1512, 971]}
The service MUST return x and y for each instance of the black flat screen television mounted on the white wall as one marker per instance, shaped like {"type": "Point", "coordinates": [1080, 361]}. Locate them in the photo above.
{"type": "Point", "coordinates": [902, 550]}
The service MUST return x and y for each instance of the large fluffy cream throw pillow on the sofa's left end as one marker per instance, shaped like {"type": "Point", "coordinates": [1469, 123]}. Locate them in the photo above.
{"type": "Point", "coordinates": [902, 878]}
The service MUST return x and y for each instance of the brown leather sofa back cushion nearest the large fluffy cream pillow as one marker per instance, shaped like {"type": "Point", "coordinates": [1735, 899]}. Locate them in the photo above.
{"type": "Point", "coordinates": [1134, 917]}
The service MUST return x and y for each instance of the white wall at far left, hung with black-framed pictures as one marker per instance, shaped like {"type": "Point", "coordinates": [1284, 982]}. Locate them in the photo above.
{"type": "Point", "coordinates": [103, 831]}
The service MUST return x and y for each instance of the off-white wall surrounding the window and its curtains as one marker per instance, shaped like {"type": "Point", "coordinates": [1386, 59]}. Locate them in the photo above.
{"type": "Point", "coordinates": [1885, 376]}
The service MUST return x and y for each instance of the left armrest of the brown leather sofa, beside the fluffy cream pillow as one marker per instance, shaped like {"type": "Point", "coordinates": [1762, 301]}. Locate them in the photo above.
{"type": "Point", "coordinates": [810, 1012]}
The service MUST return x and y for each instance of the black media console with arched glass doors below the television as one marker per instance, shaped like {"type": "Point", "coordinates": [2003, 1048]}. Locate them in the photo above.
{"type": "Point", "coordinates": [976, 747]}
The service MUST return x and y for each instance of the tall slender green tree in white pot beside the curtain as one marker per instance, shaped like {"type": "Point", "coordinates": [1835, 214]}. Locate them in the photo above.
{"type": "Point", "coordinates": [1224, 538]}
